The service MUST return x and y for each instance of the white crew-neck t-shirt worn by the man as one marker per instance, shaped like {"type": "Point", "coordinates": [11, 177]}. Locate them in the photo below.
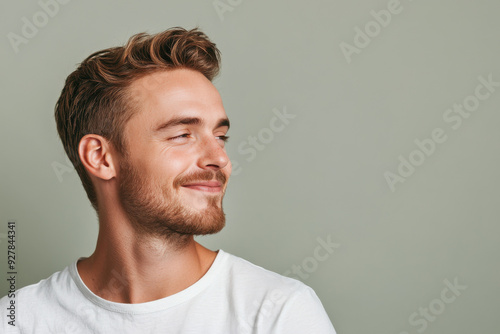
{"type": "Point", "coordinates": [234, 296]}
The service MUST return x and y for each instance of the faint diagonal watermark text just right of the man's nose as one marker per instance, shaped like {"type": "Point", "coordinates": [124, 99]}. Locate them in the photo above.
{"type": "Point", "coordinates": [257, 143]}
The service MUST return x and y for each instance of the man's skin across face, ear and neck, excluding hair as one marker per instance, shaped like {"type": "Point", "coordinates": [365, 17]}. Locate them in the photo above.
{"type": "Point", "coordinates": [148, 214]}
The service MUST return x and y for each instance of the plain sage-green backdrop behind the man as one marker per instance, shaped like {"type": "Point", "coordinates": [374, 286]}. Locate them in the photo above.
{"type": "Point", "coordinates": [364, 89]}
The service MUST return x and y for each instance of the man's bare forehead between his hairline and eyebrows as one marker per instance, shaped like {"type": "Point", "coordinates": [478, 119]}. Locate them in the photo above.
{"type": "Point", "coordinates": [180, 92]}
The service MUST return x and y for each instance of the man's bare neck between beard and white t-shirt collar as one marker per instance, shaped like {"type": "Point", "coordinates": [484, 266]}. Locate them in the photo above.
{"type": "Point", "coordinates": [127, 267]}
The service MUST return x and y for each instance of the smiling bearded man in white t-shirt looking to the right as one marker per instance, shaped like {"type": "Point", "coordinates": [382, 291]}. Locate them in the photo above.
{"type": "Point", "coordinates": [146, 129]}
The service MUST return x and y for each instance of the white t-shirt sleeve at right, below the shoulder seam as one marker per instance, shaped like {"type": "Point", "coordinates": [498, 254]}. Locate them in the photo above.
{"type": "Point", "coordinates": [304, 313]}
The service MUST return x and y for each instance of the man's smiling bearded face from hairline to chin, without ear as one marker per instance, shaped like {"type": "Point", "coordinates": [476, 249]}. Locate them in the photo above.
{"type": "Point", "coordinates": [175, 173]}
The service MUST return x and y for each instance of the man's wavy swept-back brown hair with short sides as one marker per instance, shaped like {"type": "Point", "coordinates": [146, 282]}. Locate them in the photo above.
{"type": "Point", "coordinates": [95, 98]}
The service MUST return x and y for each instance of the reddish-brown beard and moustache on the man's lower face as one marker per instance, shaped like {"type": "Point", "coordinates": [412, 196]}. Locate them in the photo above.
{"type": "Point", "coordinates": [156, 209]}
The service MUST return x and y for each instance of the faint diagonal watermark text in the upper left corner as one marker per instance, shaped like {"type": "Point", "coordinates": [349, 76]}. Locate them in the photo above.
{"type": "Point", "coordinates": [31, 25]}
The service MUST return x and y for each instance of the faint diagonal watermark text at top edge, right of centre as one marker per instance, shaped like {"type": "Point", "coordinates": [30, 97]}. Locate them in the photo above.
{"type": "Point", "coordinates": [363, 37]}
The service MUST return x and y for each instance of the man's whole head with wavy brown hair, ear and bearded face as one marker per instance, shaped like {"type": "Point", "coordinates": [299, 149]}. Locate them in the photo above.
{"type": "Point", "coordinates": [124, 101]}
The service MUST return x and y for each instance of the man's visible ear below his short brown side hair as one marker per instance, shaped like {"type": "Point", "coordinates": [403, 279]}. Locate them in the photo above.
{"type": "Point", "coordinates": [98, 156]}
